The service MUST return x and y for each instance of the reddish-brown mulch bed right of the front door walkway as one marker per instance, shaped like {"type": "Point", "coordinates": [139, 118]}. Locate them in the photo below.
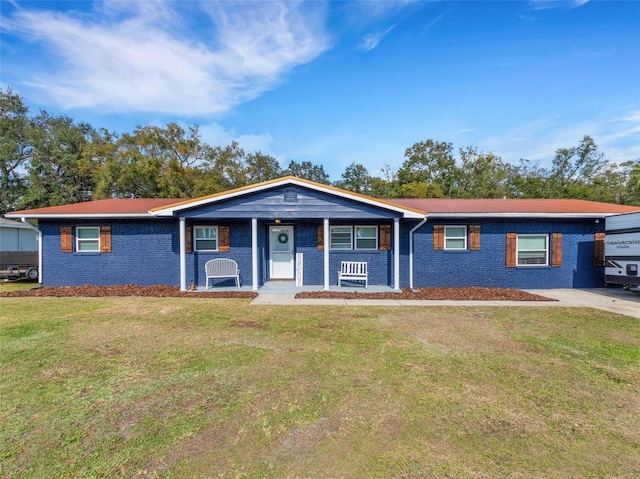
{"type": "Point", "coordinates": [459, 294]}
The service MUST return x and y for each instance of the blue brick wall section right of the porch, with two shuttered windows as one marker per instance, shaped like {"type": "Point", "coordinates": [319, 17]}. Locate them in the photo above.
{"type": "Point", "coordinates": [487, 267]}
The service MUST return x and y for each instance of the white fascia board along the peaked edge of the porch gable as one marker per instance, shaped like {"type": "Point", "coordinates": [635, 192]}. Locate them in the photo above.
{"type": "Point", "coordinates": [407, 213]}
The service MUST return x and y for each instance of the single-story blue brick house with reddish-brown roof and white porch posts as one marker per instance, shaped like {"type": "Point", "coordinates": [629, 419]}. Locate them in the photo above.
{"type": "Point", "coordinates": [298, 230]}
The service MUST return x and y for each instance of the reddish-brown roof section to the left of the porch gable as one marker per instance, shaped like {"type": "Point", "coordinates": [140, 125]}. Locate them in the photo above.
{"type": "Point", "coordinates": [125, 207]}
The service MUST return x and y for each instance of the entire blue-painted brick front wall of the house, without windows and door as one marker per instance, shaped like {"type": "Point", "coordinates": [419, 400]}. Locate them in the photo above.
{"type": "Point", "coordinates": [146, 252]}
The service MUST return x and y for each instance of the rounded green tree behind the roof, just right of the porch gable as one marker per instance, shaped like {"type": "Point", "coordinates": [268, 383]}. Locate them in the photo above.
{"type": "Point", "coordinates": [433, 163]}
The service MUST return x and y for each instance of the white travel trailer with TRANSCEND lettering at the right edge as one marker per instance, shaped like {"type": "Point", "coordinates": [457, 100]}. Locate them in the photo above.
{"type": "Point", "coordinates": [622, 249]}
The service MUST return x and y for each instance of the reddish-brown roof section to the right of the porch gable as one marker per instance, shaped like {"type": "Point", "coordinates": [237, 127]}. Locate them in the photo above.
{"type": "Point", "coordinates": [513, 206]}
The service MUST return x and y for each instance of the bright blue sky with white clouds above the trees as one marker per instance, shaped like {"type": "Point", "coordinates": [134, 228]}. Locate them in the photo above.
{"type": "Point", "coordinates": [338, 82]}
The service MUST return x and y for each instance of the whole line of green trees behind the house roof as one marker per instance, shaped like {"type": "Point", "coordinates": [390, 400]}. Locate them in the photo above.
{"type": "Point", "coordinates": [48, 160]}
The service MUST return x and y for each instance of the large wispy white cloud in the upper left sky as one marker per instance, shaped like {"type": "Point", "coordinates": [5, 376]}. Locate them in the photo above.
{"type": "Point", "coordinates": [138, 56]}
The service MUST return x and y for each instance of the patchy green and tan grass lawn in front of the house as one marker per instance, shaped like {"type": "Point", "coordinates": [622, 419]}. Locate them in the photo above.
{"type": "Point", "coordinates": [166, 387]}
